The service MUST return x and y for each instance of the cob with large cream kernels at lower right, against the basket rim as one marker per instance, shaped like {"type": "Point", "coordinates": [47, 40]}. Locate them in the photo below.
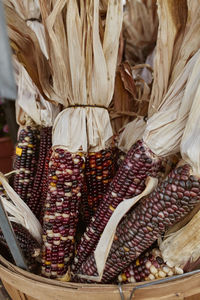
{"type": "Point", "coordinates": [148, 266]}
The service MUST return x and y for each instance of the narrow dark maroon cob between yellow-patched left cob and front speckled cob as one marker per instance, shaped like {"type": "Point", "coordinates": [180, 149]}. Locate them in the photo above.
{"type": "Point", "coordinates": [34, 202]}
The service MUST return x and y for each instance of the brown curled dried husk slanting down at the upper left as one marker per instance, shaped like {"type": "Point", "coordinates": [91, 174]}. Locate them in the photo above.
{"type": "Point", "coordinates": [27, 49]}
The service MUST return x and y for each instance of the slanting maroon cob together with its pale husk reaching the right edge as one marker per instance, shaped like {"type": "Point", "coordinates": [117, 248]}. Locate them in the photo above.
{"type": "Point", "coordinates": [160, 139]}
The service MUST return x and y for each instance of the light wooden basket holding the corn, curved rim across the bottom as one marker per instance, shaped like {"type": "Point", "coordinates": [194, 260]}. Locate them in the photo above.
{"type": "Point", "coordinates": [23, 285]}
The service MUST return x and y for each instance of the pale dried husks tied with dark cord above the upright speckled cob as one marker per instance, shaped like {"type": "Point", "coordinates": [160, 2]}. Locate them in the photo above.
{"type": "Point", "coordinates": [94, 62]}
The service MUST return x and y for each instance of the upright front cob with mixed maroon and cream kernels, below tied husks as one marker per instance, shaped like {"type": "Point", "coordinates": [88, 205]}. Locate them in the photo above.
{"type": "Point", "coordinates": [65, 180]}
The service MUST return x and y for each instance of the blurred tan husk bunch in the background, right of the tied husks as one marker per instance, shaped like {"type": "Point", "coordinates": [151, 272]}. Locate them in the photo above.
{"type": "Point", "coordinates": [140, 29]}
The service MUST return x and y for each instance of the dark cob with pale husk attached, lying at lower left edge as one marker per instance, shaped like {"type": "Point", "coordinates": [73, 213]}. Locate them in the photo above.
{"type": "Point", "coordinates": [25, 225]}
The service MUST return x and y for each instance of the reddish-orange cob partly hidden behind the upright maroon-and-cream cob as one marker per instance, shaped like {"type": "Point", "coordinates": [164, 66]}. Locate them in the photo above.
{"type": "Point", "coordinates": [99, 171]}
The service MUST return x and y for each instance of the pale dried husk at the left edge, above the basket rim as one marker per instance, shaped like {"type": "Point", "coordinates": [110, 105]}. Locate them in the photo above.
{"type": "Point", "coordinates": [19, 212]}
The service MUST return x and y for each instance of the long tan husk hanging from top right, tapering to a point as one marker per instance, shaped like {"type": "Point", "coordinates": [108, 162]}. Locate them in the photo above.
{"type": "Point", "coordinates": [172, 18]}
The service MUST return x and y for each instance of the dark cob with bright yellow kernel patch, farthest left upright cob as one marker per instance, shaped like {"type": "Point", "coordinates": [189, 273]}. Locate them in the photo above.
{"type": "Point", "coordinates": [27, 151]}
